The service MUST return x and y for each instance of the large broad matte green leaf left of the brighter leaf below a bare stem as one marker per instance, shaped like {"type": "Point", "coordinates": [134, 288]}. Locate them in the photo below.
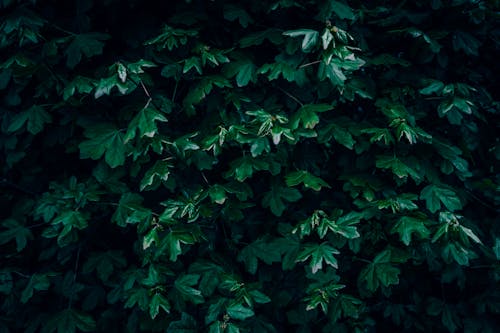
{"type": "Point", "coordinates": [107, 140]}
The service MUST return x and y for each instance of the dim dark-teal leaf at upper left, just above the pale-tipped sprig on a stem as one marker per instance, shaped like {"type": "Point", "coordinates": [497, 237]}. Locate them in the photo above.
{"type": "Point", "coordinates": [88, 44]}
